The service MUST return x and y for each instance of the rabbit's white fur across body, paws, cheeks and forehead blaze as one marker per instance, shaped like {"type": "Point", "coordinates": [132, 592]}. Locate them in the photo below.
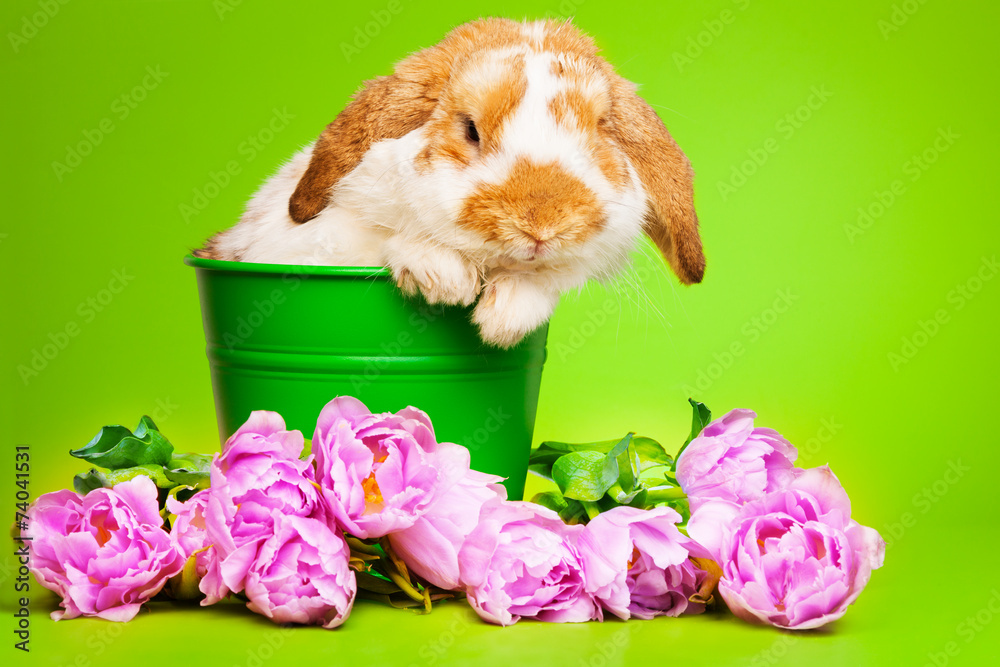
{"type": "Point", "coordinates": [389, 213]}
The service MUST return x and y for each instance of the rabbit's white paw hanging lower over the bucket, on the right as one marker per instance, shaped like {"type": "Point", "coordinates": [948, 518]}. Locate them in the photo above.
{"type": "Point", "coordinates": [510, 308]}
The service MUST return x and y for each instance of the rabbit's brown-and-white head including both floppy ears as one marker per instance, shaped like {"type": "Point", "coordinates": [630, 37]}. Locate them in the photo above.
{"type": "Point", "coordinates": [536, 150]}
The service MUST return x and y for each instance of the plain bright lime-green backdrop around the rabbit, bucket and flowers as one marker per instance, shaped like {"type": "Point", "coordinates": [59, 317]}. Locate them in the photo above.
{"type": "Point", "coordinates": [892, 78]}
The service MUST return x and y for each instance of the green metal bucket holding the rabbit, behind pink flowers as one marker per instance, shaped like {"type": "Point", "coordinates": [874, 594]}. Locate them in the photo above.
{"type": "Point", "coordinates": [291, 338]}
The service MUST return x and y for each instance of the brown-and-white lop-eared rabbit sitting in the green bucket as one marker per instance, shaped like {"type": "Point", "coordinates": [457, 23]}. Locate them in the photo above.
{"type": "Point", "coordinates": [501, 167]}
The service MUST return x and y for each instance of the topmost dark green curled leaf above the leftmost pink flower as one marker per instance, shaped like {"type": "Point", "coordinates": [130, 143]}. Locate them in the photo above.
{"type": "Point", "coordinates": [115, 447]}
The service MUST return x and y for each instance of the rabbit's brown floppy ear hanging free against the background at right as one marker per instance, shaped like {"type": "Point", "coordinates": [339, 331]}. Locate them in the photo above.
{"type": "Point", "coordinates": [666, 174]}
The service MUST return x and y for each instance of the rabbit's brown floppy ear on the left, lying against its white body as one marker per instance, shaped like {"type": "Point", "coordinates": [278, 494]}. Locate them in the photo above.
{"type": "Point", "coordinates": [386, 108]}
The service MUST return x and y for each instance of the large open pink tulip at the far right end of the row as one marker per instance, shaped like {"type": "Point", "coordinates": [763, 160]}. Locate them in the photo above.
{"type": "Point", "coordinates": [794, 558]}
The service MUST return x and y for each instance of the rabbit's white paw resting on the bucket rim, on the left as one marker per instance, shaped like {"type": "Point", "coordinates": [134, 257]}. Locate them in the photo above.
{"type": "Point", "coordinates": [441, 275]}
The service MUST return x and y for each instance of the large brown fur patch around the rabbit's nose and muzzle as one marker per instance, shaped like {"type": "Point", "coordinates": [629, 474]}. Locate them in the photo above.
{"type": "Point", "coordinates": [536, 203]}
